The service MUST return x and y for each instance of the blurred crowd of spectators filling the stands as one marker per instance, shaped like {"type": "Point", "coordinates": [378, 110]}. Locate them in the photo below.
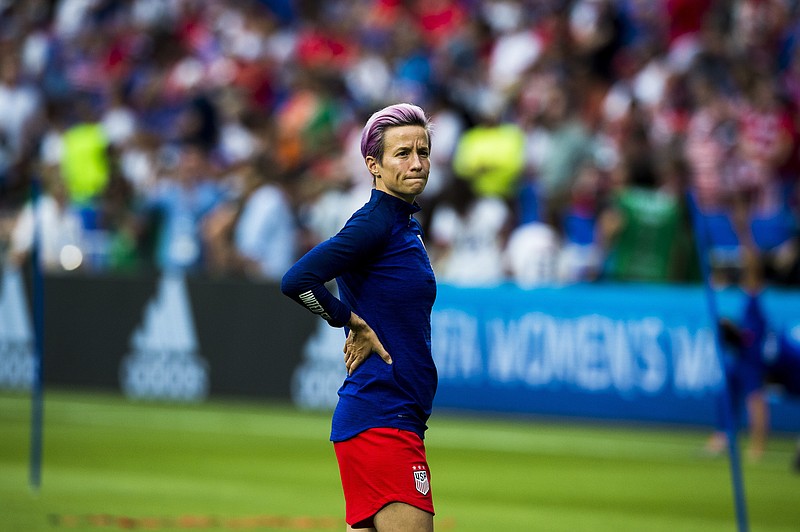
{"type": "Point", "coordinates": [574, 140]}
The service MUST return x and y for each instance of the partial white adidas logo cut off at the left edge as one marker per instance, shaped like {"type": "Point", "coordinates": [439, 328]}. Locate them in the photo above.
{"type": "Point", "coordinates": [16, 334]}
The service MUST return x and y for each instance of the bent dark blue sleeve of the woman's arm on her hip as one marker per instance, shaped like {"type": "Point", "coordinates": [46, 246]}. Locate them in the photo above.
{"type": "Point", "coordinates": [352, 247]}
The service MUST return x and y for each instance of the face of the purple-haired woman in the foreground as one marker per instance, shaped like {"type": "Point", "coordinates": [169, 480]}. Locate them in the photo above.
{"type": "Point", "coordinates": [403, 171]}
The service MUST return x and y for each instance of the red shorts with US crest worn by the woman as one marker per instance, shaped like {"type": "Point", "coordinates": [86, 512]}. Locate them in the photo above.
{"type": "Point", "coordinates": [381, 466]}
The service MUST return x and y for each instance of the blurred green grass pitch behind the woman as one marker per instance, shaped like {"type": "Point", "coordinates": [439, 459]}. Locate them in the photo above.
{"type": "Point", "coordinates": [109, 464]}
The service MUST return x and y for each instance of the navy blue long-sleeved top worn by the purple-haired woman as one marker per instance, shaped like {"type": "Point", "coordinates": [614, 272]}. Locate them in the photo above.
{"type": "Point", "coordinates": [384, 275]}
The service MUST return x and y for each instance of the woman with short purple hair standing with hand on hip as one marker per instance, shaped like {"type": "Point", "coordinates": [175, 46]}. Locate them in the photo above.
{"type": "Point", "coordinates": [387, 290]}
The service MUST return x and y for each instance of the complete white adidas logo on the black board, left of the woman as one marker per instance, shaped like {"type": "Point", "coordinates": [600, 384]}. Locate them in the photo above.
{"type": "Point", "coordinates": [163, 362]}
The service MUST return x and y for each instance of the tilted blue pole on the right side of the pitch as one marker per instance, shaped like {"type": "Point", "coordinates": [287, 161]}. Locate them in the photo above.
{"type": "Point", "coordinates": [702, 238]}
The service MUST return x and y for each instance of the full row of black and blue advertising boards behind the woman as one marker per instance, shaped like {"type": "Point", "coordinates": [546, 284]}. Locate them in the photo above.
{"type": "Point", "coordinates": [625, 352]}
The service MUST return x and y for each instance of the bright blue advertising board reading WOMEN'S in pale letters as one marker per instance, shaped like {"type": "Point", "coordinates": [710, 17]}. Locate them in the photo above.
{"type": "Point", "coordinates": [630, 352]}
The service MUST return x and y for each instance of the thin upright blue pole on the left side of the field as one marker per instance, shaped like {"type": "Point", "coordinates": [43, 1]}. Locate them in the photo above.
{"type": "Point", "coordinates": [37, 392]}
